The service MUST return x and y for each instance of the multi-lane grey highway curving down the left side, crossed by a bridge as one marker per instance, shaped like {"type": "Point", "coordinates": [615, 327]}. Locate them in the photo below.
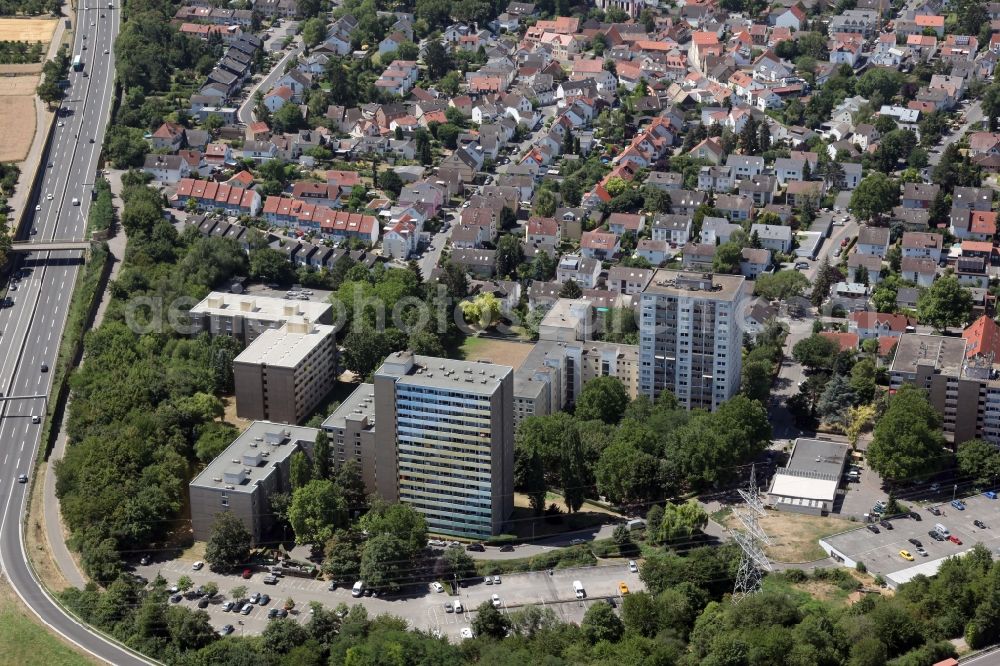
{"type": "Point", "coordinates": [31, 329]}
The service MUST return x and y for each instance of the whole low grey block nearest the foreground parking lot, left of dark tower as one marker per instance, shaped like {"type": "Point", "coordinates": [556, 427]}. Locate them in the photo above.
{"type": "Point", "coordinates": [244, 477]}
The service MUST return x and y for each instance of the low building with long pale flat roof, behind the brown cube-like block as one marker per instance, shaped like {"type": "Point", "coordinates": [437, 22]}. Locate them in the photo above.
{"type": "Point", "coordinates": [245, 317]}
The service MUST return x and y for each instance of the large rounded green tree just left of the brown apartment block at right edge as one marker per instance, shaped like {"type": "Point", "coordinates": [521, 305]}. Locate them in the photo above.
{"type": "Point", "coordinates": [907, 442]}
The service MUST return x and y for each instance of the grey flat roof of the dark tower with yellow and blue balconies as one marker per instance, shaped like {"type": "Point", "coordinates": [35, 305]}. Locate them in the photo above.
{"type": "Point", "coordinates": [444, 373]}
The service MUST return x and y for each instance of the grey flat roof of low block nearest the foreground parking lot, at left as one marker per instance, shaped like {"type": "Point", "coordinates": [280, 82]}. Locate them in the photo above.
{"type": "Point", "coordinates": [253, 456]}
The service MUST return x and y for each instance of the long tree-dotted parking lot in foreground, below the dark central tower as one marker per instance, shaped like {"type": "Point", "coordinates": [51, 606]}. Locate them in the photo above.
{"type": "Point", "coordinates": [423, 610]}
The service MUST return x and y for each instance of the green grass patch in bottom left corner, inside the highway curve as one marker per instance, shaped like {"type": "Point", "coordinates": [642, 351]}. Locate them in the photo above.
{"type": "Point", "coordinates": [24, 641]}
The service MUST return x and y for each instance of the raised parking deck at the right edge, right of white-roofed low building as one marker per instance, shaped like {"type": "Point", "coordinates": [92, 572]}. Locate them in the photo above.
{"type": "Point", "coordinates": [880, 552]}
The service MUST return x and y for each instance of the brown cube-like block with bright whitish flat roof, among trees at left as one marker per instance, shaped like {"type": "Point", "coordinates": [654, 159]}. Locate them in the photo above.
{"type": "Point", "coordinates": [285, 373]}
